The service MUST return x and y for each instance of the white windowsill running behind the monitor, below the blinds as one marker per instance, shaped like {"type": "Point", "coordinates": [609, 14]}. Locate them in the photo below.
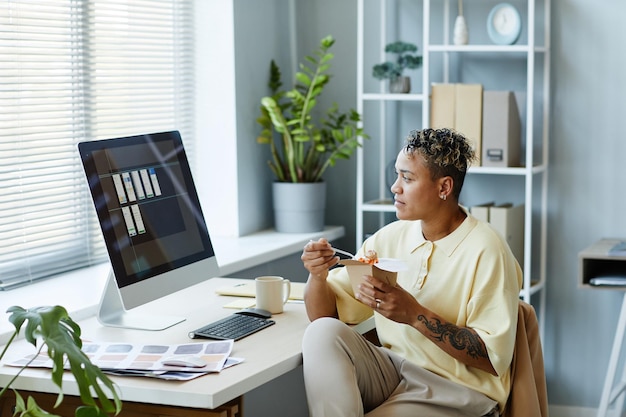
{"type": "Point", "coordinates": [79, 291]}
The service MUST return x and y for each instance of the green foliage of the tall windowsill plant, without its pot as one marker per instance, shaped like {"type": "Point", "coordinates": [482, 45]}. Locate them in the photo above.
{"type": "Point", "coordinates": [302, 149]}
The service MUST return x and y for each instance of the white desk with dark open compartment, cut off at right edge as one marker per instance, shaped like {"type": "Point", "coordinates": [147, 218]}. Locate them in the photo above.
{"type": "Point", "coordinates": [594, 262]}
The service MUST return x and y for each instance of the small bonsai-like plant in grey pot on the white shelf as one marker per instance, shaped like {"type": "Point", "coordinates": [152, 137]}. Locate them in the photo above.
{"type": "Point", "coordinates": [393, 70]}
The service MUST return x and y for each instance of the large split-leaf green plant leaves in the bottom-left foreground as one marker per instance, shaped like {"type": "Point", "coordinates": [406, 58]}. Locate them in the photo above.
{"type": "Point", "coordinates": [54, 329]}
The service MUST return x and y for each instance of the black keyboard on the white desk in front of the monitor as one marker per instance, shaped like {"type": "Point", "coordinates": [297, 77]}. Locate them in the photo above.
{"type": "Point", "coordinates": [236, 326]}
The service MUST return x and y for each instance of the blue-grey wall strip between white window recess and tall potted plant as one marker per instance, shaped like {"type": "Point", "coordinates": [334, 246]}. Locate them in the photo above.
{"type": "Point", "coordinates": [261, 34]}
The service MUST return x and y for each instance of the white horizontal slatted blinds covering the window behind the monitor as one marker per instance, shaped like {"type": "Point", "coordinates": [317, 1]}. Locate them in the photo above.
{"type": "Point", "coordinates": [75, 70]}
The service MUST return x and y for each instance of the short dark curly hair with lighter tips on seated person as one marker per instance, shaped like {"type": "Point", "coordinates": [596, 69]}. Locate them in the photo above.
{"type": "Point", "coordinates": [445, 151]}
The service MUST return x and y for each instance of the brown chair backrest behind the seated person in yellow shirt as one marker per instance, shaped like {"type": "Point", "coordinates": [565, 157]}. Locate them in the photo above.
{"type": "Point", "coordinates": [529, 396]}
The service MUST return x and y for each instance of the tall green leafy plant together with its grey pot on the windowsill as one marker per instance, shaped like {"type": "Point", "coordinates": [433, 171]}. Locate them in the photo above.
{"type": "Point", "coordinates": [304, 143]}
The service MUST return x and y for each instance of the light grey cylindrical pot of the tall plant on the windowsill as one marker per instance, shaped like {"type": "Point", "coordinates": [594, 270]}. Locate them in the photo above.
{"type": "Point", "coordinates": [299, 207]}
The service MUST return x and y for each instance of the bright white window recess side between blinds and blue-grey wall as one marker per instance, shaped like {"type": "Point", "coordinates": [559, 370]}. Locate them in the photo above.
{"type": "Point", "coordinates": [216, 130]}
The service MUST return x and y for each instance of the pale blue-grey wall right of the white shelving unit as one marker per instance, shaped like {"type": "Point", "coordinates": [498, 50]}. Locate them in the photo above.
{"type": "Point", "coordinates": [586, 194]}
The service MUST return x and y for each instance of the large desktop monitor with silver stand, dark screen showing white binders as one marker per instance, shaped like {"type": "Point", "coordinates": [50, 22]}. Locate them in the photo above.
{"type": "Point", "coordinates": [152, 222]}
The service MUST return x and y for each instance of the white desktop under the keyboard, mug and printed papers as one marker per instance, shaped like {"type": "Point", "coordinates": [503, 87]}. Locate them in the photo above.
{"type": "Point", "coordinates": [268, 353]}
